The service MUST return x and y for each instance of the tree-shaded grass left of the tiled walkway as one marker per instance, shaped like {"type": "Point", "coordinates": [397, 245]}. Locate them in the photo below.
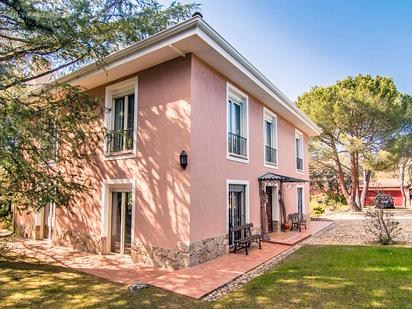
{"type": "Point", "coordinates": [38, 285]}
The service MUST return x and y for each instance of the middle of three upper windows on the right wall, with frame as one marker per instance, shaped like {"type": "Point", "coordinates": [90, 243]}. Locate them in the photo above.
{"type": "Point", "coordinates": [270, 137]}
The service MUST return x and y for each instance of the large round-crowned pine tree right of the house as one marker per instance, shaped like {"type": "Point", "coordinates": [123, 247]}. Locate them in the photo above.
{"type": "Point", "coordinates": [359, 116]}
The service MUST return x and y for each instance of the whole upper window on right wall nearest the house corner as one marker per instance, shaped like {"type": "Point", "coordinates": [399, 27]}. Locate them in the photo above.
{"type": "Point", "coordinates": [237, 124]}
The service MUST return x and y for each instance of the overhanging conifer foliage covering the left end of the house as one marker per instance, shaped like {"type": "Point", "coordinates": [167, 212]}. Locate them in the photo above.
{"type": "Point", "coordinates": [46, 126]}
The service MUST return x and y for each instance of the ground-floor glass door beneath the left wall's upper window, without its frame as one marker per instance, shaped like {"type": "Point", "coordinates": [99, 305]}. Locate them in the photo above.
{"type": "Point", "coordinates": [121, 223]}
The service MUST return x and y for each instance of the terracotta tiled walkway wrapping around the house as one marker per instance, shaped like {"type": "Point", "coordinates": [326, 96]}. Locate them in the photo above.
{"type": "Point", "coordinates": [195, 281]}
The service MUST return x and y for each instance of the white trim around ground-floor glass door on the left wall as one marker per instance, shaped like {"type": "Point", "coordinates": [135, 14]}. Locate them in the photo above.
{"type": "Point", "coordinates": [105, 215]}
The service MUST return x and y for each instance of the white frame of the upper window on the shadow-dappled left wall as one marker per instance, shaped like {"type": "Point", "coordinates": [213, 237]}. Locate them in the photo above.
{"type": "Point", "coordinates": [126, 87]}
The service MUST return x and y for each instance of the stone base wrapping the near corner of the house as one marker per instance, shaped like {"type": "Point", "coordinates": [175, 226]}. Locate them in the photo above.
{"type": "Point", "coordinates": [185, 254]}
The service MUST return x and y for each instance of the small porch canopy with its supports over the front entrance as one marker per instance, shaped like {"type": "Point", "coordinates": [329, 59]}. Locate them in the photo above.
{"type": "Point", "coordinates": [270, 180]}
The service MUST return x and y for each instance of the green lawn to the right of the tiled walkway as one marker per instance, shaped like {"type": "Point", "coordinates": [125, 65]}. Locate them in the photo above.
{"type": "Point", "coordinates": [332, 277]}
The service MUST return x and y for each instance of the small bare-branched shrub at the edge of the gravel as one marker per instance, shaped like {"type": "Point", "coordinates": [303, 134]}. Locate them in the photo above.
{"type": "Point", "coordinates": [380, 224]}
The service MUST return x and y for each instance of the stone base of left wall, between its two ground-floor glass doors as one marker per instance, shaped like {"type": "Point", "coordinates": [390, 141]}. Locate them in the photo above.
{"type": "Point", "coordinates": [79, 241]}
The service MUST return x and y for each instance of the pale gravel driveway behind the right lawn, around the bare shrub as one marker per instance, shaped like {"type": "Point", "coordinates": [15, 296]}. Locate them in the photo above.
{"type": "Point", "coordinates": [349, 229]}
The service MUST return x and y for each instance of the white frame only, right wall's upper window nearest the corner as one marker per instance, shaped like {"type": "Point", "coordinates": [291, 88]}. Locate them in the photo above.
{"type": "Point", "coordinates": [233, 93]}
